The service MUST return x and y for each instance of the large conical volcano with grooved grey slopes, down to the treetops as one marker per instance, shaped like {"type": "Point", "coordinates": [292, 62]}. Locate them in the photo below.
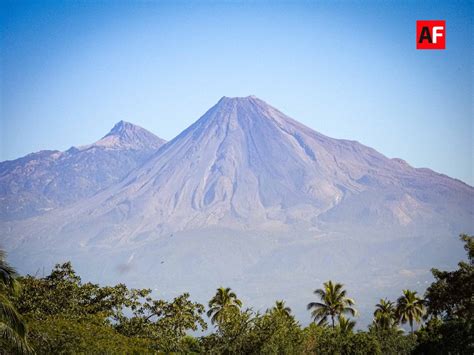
{"type": "Point", "coordinates": [249, 198]}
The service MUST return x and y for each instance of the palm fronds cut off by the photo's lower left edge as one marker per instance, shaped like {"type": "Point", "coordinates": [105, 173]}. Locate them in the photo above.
{"type": "Point", "coordinates": [12, 327]}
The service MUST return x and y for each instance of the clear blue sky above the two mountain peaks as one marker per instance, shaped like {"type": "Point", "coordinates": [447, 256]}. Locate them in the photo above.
{"type": "Point", "coordinates": [348, 69]}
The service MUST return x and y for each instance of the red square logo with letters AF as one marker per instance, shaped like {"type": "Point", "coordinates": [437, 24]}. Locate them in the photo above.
{"type": "Point", "coordinates": [431, 34]}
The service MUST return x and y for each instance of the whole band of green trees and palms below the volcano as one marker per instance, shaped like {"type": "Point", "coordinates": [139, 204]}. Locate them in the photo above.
{"type": "Point", "coordinates": [60, 314]}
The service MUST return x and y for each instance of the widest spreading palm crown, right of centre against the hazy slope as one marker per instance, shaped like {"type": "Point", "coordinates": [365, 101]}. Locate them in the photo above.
{"type": "Point", "coordinates": [333, 303]}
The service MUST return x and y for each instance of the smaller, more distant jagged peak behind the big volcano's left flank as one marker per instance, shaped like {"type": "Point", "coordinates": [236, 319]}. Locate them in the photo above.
{"type": "Point", "coordinates": [43, 181]}
